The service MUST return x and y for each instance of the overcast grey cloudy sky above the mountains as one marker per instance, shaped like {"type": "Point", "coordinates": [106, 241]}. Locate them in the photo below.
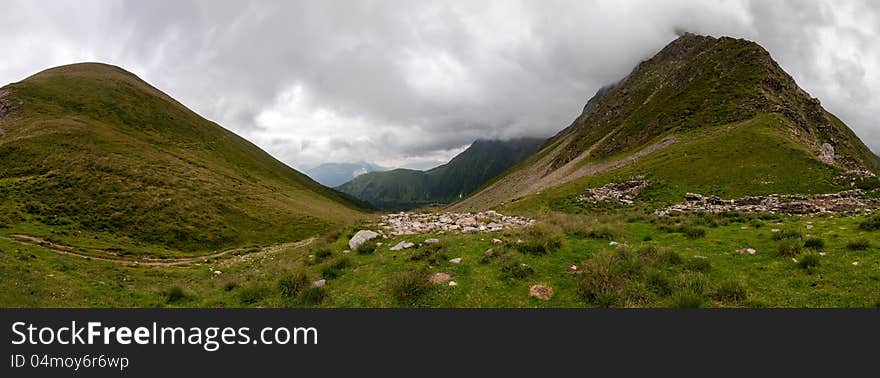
{"type": "Point", "coordinates": [412, 83]}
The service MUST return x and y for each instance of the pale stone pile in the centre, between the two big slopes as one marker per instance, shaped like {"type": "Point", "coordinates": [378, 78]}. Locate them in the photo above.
{"type": "Point", "coordinates": [411, 223]}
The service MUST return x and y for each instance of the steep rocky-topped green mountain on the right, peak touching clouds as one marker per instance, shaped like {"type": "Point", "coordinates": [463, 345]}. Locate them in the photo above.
{"type": "Point", "coordinates": [695, 87]}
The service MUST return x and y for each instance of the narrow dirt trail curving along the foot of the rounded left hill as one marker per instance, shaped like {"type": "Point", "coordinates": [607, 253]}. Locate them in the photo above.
{"type": "Point", "coordinates": [172, 261]}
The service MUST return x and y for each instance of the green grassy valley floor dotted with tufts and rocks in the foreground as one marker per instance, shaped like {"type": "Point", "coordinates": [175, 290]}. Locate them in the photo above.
{"type": "Point", "coordinates": [622, 259]}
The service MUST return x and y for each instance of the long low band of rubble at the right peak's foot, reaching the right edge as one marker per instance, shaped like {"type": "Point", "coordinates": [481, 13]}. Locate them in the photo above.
{"type": "Point", "coordinates": [841, 202]}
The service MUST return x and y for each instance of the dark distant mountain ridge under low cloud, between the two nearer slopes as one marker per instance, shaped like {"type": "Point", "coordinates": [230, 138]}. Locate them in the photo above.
{"type": "Point", "coordinates": [401, 189]}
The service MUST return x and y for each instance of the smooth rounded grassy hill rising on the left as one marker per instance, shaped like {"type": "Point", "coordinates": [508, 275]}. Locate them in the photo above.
{"type": "Point", "coordinates": [91, 147]}
